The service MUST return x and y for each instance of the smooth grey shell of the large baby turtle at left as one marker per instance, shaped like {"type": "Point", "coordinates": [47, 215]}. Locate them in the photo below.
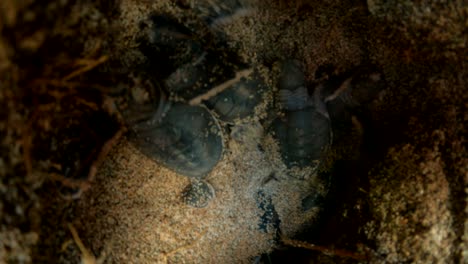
{"type": "Point", "coordinates": [187, 140]}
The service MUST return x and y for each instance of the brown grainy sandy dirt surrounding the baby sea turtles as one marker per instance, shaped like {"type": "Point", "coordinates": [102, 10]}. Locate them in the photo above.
{"type": "Point", "coordinates": [399, 165]}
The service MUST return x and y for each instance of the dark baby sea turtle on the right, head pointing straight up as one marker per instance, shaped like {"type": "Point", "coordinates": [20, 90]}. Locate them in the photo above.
{"type": "Point", "coordinates": [303, 131]}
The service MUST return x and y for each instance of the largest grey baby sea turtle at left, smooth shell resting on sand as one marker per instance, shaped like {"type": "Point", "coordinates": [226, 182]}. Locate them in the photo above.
{"type": "Point", "coordinates": [184, 138]}
